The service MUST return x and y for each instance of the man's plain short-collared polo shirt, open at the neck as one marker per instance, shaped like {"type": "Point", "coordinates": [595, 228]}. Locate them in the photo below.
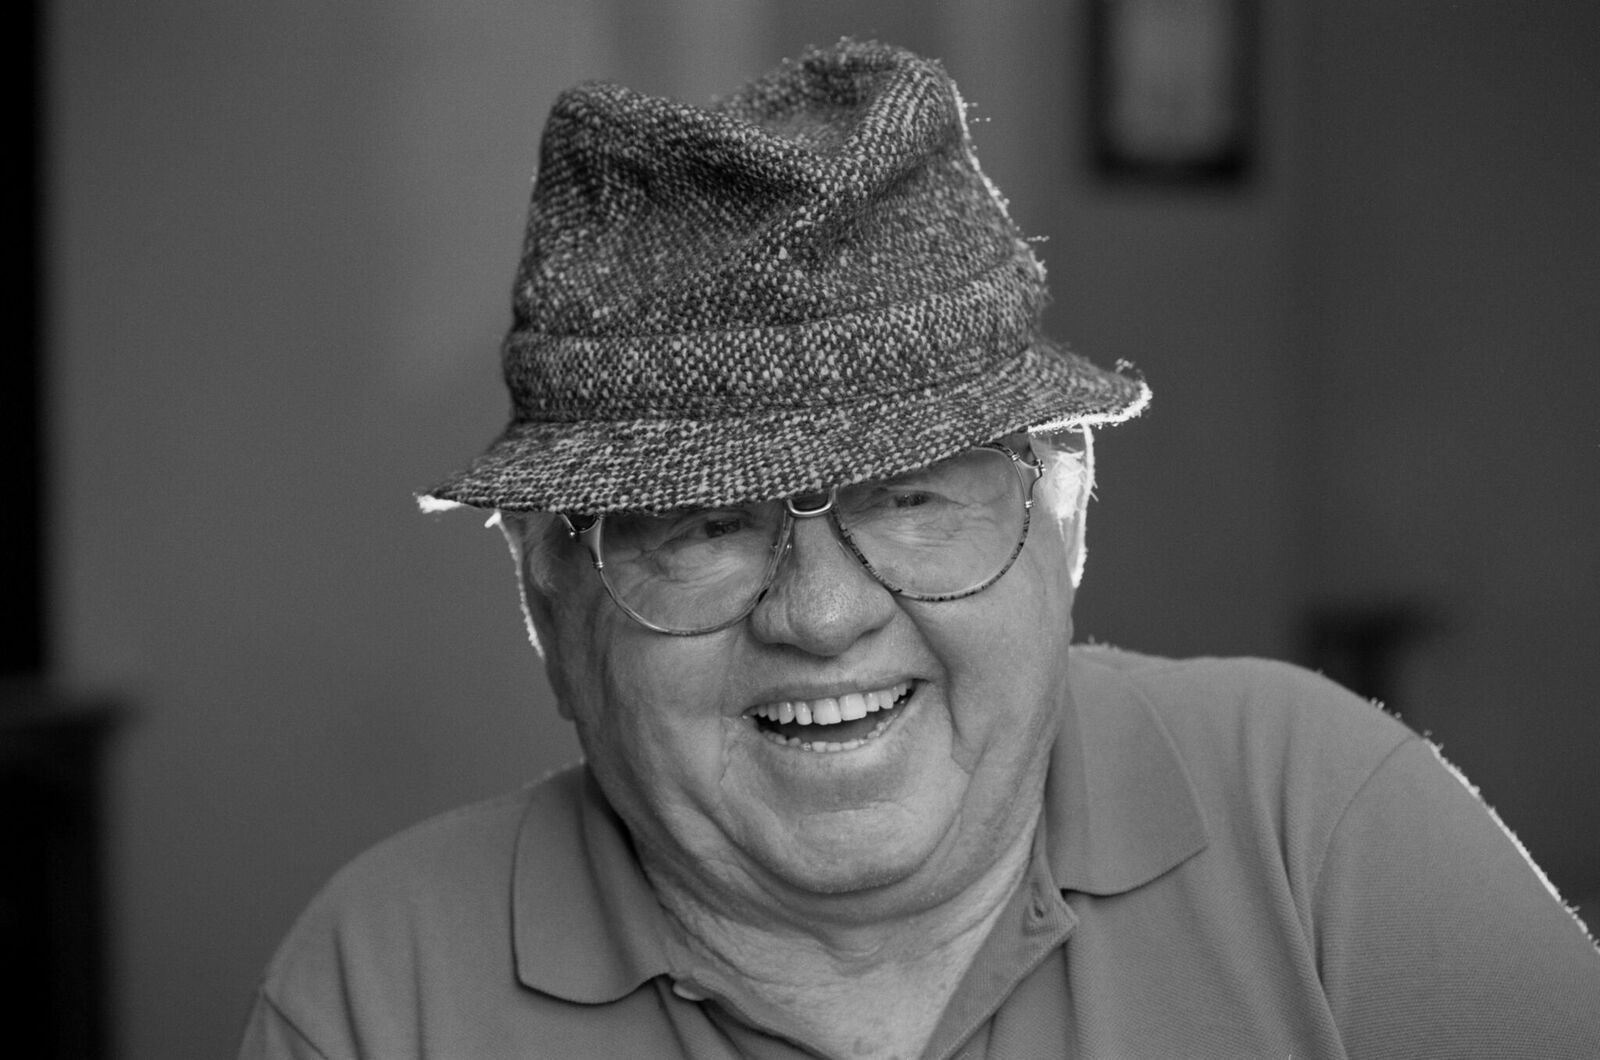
{"type": "Point", "coordinates": [1236, 859]}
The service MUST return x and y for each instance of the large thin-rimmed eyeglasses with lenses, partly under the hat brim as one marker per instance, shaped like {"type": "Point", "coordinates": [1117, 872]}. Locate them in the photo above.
{"type": "Point", "coordinates": [940, 534]}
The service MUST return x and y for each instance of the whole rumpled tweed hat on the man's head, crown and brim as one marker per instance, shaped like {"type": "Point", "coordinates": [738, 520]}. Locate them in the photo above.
{"type": "Point", "coordinates": [806, 284]}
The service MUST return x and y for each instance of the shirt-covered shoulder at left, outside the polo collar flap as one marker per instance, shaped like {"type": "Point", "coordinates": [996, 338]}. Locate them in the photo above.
{"type": "Point", "coordinates": [415, 938]}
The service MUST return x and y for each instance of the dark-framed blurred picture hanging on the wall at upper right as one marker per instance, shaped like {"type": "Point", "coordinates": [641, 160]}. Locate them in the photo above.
{"type": "Point", "coordinates": [1172, 90]}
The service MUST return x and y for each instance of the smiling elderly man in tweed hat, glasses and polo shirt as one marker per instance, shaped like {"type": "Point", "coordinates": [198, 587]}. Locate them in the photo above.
{"type": "Point", "coordinates": [798, 494]}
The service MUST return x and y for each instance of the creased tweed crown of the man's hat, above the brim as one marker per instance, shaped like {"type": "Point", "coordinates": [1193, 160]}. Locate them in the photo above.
{"type": "Point", "coordinates": [697, 260]}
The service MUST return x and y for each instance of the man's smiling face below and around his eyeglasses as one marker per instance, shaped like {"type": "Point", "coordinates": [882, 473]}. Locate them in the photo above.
{"type": "Point", "coordinates": [681, 731]}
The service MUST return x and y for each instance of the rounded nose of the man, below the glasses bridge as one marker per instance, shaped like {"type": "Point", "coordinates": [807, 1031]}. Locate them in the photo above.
{"type": "Point", "coordinates": [823, 600]}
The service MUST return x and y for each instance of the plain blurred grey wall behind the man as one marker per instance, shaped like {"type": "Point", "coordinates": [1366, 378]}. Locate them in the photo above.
{"type": "Point", "coordinates": [281, 243]}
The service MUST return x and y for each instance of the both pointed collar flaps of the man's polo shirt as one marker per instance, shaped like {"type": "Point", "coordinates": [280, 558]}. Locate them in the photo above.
{"type": "Point", "coordinates": [1119, 813]}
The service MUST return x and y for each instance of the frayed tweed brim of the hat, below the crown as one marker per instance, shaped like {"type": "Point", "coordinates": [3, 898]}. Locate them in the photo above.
{"type": "Point", "coordinates": [668, 464]}
